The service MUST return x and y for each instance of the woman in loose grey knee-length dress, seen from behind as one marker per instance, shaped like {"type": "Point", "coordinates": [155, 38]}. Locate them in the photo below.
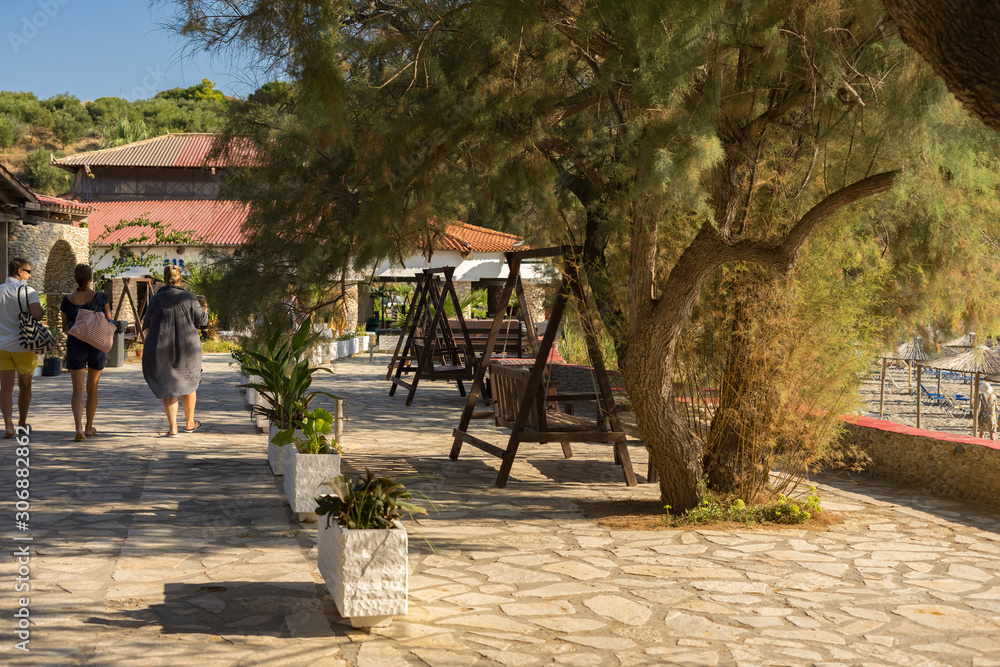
{"type": "Point", "coordinates": [171, 360]}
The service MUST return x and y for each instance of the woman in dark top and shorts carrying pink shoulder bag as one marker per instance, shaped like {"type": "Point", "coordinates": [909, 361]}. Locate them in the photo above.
{"type": "Point", "coordinates": [80, 355]}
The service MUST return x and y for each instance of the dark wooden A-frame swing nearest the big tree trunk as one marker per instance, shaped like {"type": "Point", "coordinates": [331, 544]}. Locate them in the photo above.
{"type": "Point", "coordinates": [607, 427]}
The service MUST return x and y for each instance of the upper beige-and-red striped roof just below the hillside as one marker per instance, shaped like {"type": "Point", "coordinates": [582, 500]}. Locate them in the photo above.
{"type": "Point", "coordinates": [169, 150]}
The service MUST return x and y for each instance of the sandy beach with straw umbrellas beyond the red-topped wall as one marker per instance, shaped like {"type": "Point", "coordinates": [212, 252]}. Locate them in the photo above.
{"type": "Point", "coordinates": [900, 405]}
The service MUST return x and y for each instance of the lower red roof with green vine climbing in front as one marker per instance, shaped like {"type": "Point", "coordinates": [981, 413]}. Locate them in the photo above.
{"type": "Point", "coordinates": [213, 222]}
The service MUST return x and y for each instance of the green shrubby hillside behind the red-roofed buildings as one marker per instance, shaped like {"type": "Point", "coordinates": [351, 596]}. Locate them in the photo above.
{"type": "Point", "coordinates": [33, 130]}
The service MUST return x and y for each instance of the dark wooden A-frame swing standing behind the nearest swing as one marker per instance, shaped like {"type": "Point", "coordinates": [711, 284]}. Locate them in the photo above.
{"type": "Point", "coordinates": [430, 350]}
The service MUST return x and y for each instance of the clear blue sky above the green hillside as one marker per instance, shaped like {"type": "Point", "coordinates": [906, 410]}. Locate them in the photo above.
{"type": "Point", "coordinates": [103, 48]}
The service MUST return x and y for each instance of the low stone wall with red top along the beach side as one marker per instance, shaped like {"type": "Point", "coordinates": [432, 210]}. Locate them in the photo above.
{"type": "Point", "coordinates": [952, 465]}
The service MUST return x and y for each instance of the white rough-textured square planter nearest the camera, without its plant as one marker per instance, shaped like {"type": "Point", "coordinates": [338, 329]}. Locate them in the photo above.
{"type": "Point", "coordinates": [366, 571]}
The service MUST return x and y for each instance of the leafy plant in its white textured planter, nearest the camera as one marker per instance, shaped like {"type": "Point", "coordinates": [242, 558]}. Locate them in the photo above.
{"type": "Point", "coordinates": [362, 547]}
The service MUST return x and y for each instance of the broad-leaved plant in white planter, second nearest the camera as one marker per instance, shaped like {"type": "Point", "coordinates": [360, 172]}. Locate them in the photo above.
{"type": "Point", "coordinates": [312, 458]}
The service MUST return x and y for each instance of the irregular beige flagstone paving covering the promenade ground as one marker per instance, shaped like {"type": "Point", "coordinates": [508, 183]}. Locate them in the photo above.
{"type": "Point", "coordinates": [175, 551]}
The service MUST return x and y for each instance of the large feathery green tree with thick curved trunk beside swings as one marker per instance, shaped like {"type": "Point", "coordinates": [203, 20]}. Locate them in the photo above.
{"type": "Point", "coordinates": [674, 141]}
